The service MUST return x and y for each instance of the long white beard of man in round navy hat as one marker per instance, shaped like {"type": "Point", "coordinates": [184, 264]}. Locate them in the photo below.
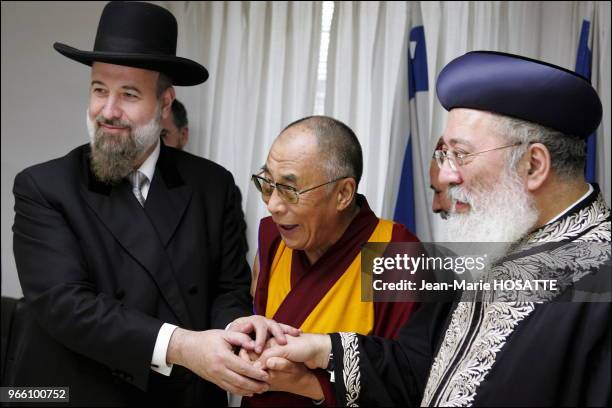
{"type": "Point", "coordinates": [503, 215]}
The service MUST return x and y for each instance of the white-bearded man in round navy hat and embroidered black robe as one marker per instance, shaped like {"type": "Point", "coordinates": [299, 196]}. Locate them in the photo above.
{"type": "Point", "coordinates": [513, 160]}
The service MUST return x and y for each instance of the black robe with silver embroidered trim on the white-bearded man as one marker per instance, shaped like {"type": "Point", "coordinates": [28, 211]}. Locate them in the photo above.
{"type": "Point", "coordinates": [553, 352]}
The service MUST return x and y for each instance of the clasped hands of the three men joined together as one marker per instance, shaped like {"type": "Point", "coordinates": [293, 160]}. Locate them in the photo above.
{"type": "Point", "coordinates": [279, 359]}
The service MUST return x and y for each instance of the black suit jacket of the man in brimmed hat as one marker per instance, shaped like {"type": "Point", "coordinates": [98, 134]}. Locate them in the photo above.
{"type": "Point", "coordinates": [101, 274]}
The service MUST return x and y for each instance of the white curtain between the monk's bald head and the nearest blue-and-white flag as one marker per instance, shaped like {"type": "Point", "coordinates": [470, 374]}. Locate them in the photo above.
{"type": "Point", "coordinates": [366, 50]}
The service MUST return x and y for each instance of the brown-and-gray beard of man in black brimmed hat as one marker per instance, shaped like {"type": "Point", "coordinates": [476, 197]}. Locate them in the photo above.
{"type": "Point", "coordinates": [113, 156]}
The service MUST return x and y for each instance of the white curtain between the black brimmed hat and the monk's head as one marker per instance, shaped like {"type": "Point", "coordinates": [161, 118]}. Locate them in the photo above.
{"type": "Point", "coordinates": [262, 58]}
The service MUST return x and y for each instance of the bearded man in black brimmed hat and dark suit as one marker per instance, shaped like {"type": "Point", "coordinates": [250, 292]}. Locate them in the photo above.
{"type": "Point", "coordinates": [129, 252]}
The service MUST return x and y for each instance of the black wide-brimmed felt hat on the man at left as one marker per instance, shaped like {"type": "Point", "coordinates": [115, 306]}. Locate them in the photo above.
{"type": "Point", "coordinates": [139, 35]}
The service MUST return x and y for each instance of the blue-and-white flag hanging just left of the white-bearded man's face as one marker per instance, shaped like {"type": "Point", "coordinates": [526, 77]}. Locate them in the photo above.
{"type": "Point", "coordinates": [413, 189]}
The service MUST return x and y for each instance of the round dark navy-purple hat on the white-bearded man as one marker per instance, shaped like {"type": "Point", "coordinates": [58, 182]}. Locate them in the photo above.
{"type": "Point", "coordinates": [522, 88]}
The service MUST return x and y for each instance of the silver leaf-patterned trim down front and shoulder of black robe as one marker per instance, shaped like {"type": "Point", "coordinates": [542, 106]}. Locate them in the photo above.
{"type": "Point", "coordinates": [458, 370]}
